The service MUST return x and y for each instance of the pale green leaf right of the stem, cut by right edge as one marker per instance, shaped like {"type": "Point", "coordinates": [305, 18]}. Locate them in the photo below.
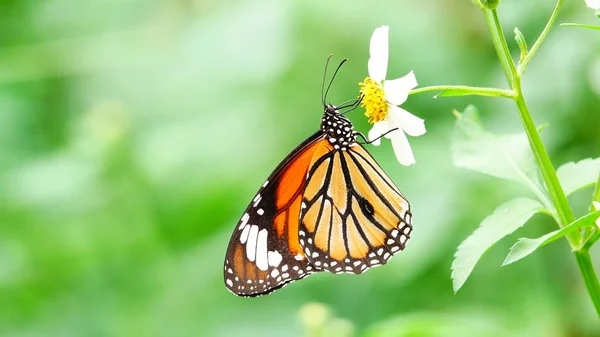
{"type": "Point", "coordinates": [576, 176]}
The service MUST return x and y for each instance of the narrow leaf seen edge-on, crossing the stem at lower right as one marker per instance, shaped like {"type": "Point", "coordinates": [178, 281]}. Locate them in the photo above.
{"type": "Point", "coordinates": [525, 246]}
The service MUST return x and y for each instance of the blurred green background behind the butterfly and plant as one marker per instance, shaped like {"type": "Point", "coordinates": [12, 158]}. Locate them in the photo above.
{"type": "Point", "coordinates": [133, 133]}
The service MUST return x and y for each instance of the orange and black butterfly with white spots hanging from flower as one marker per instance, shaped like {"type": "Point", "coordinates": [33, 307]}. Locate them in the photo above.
{"type": "Point", "coordinates": [328, 206]}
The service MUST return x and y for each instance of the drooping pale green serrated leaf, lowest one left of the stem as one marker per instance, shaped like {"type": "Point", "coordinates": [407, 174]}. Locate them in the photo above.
{"type": "Point", "coordinates": [506, 219]}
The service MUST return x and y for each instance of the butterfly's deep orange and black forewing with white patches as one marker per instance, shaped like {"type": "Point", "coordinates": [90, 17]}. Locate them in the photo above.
{"type": "Point", "coordinates": [264, 253]}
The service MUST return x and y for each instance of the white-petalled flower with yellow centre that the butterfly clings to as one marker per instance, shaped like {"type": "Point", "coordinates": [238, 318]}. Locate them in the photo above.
{"type": "Point", "coordinates": [381, 99]}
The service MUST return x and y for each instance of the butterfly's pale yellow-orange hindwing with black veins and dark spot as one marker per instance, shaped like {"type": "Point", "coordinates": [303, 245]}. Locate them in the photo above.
{"type": "Point", "coordinates": [354, 216]}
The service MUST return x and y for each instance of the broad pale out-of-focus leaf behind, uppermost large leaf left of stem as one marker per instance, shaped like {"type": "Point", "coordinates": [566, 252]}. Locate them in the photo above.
{"type": "Point", "coordinates": [507, 157]}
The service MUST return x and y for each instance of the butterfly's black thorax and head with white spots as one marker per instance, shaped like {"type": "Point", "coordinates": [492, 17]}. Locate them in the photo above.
{"type": "Point", "coordinates": [339, 130]}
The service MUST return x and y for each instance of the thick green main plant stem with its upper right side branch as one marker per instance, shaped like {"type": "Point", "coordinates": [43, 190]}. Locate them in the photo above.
{"type": "Point", "coordinates": [557, 195]}
